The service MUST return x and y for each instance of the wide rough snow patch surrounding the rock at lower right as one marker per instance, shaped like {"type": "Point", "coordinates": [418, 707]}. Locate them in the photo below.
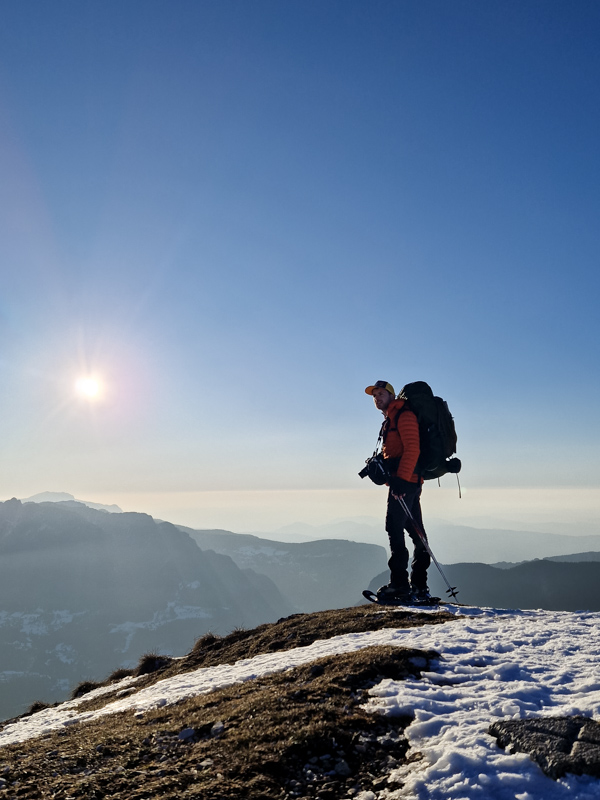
{"type": "Point", "coordinates": [525, 665]}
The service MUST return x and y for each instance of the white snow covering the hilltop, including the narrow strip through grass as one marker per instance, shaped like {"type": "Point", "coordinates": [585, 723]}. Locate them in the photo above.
{"type": "Point", "coordinates": [493, 665]}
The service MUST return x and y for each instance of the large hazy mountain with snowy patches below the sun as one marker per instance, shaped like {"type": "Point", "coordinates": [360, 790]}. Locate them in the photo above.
{"type": "Point", "coordinates": [82, 591]}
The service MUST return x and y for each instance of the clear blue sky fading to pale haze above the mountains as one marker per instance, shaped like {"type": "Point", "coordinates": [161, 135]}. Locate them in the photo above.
{"type": "Point", "coordinates": [234, 215]}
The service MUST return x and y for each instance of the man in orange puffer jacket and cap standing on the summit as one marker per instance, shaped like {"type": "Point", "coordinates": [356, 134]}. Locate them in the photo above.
{"type": "Point", "coordinates": [400, 433]}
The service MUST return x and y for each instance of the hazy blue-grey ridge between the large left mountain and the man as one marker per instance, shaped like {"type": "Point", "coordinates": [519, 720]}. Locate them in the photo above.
{"type": "Point", "coordinates": [313, 575]}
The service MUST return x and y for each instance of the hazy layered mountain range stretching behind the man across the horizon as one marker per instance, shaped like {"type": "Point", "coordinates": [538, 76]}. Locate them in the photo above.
{"type": "Point", "coordinates": [84, 590]}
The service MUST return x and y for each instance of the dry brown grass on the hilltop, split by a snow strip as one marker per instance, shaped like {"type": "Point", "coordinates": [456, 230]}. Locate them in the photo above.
{"type": "Point", "coordinates": [297, 734]}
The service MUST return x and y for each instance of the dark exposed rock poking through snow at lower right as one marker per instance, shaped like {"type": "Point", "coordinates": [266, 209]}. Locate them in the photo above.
{"type": "Point", "coordinates": [558, 744]}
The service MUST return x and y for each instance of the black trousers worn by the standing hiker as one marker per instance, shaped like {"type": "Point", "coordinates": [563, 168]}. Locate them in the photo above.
{"type": "Point", "coordinates": [397, 522]}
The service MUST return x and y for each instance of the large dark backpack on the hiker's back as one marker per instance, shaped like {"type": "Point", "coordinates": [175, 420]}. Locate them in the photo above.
{"type": "Point", "coordinates": [437, 434]}
